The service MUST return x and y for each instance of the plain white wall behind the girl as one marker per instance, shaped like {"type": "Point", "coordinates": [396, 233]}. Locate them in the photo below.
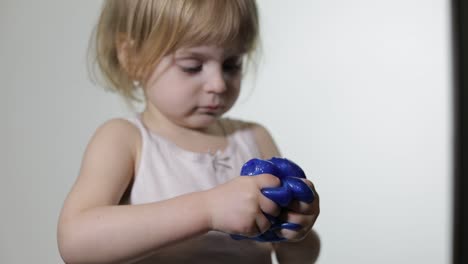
{"type": "Point", "coordinates": [356, 92]}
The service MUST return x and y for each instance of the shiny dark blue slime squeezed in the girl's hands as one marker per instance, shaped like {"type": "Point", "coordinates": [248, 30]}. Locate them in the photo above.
{"type": "Point", "coordinates": [292, 188]}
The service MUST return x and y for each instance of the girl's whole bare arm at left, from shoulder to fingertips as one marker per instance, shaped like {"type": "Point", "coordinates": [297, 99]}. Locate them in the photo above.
{"type": "Point", "coordinates": [93, 228]}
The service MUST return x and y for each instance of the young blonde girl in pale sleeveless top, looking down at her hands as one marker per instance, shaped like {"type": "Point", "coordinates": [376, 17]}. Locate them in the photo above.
{"type": "Point", "coordinates": [163, 187]}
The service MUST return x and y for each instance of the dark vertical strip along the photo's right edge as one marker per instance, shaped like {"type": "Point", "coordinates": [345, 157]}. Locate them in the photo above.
{"type": "Point", "coordinates": [460, 62]}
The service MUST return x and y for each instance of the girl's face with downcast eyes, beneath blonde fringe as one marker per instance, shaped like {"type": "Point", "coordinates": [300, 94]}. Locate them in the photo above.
{"type": "Point", "coordinates": [195, 86]}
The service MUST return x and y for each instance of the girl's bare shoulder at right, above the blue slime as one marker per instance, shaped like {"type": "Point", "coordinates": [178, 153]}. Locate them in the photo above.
{"type": "Point", "coordinates": [262, 136]}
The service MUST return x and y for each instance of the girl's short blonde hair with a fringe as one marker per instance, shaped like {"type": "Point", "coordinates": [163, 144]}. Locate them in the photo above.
{"type": "Point", "coordinates": [151, 29]}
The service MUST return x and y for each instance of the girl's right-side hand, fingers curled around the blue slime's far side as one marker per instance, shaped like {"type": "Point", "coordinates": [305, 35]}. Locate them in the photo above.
{"type": "Point", "coordinates": [300, 213]}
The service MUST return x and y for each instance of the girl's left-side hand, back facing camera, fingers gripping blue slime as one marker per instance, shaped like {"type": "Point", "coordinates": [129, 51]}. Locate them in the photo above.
{"type": "Point", "coordinates": [237, 206]}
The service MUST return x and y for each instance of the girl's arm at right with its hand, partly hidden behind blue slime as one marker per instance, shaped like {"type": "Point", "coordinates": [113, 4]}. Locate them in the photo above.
{"type": "Point", "coordinates": [305, 244]}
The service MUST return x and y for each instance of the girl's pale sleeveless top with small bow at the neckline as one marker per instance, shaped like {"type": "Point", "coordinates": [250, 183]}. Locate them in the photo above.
{"type": "Point", "coordinates": [166, 170]}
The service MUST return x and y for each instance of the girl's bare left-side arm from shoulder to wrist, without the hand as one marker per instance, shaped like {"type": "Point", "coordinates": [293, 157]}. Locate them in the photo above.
{"type": "Point", "coordinates": [92, 228]}
